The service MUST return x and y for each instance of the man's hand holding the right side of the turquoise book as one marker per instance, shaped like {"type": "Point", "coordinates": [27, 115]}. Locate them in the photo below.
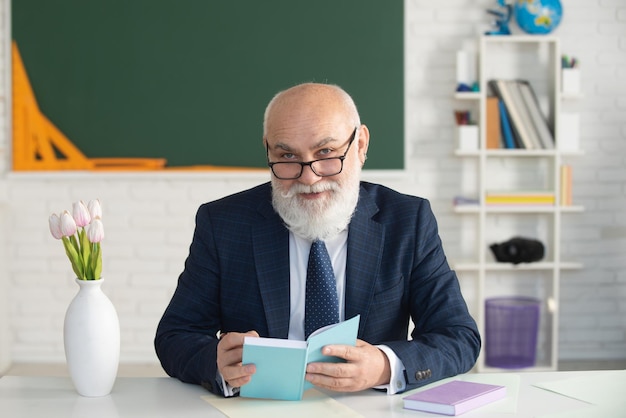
{"type": "Point", "coordinates": [366, 366]}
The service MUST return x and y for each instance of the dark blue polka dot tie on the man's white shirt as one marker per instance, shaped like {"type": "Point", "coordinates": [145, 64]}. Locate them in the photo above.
{"type": "Point", "coordinates": [321, 305]}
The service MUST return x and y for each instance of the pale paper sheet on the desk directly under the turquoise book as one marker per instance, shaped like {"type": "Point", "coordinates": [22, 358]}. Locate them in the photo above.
{"type": "Point", "coordinates": [314, 404]}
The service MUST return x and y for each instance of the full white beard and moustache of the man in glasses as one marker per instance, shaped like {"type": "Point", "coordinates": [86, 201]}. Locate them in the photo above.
{"type": "Point", "coordinates": [314, 220]}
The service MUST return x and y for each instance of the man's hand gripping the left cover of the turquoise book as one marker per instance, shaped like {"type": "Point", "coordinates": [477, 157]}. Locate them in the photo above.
{"type": "Point", "coordinates": [229, 353]}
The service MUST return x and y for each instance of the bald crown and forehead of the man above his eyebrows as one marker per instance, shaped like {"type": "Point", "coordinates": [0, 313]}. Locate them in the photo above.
{"type": "Point", "coordinates": [310, 103]}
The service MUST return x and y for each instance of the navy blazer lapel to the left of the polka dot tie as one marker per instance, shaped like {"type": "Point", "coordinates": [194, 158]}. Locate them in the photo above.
{"type": "Point", "coordinates": [271, 257]}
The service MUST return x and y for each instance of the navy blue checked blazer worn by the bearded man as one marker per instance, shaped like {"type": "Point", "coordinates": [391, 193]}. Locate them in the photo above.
{"type": "Point", "coordinates": [236, 279]}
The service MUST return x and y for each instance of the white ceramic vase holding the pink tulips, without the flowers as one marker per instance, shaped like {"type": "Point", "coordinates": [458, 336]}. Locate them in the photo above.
{"type": "Point", "coordinates": [91, 334]}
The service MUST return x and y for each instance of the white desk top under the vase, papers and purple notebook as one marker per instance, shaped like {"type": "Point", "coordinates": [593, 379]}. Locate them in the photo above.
{"type": "Point", "coordinates": [50, 397]}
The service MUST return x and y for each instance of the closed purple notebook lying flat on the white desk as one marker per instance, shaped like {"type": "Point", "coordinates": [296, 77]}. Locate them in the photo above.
{"type": "Point", "coordinates": [455, 397]}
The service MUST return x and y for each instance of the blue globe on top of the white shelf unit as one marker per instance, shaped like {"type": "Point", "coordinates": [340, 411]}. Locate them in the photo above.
{"type": "Point", "coordinates": [538, 17]}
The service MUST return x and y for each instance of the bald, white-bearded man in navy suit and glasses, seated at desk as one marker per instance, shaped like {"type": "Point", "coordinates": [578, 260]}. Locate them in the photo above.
{"type": "Point", "coordinates": [246, 273]}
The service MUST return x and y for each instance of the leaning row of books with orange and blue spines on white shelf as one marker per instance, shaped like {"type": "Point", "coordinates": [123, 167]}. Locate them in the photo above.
{"type": "Point", "coordinates": [514, 117]}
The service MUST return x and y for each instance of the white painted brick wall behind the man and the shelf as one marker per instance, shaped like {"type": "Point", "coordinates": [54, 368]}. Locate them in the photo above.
{"type": "Point", "coordinates": [149, 217]}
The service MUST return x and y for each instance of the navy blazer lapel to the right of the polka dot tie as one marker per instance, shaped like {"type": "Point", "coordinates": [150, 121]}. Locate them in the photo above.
{"type": "Point", "coordinates": [365, 248]}
